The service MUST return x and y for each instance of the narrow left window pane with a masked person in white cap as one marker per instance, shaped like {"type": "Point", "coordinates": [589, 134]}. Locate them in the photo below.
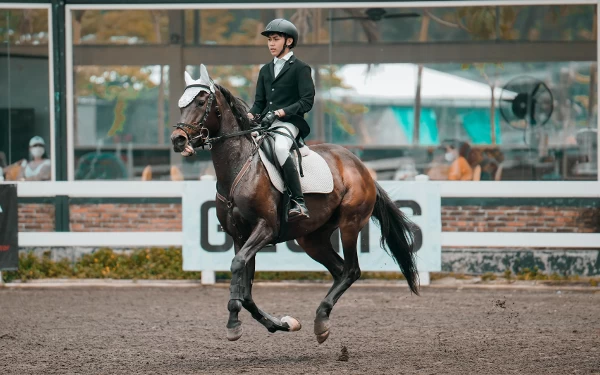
{"type": "Point", "coordinates": [25, 133]}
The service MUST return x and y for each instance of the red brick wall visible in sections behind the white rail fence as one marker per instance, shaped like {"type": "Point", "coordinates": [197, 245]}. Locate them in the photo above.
{"type": "Point", "coordinates": [124, 217]}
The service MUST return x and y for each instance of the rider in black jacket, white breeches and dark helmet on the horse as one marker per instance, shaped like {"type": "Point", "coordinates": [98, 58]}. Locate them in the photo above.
{"type": "Point", "coordinates": [284, 93]}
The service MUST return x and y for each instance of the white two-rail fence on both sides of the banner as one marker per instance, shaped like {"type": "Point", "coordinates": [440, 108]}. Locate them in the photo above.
{"type": "Point", "coordinates": [169, 189]}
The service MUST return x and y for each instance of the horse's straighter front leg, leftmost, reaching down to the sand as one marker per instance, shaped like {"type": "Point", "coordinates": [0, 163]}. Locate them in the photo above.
{"type": "Point", "coordinates": [239, 288]}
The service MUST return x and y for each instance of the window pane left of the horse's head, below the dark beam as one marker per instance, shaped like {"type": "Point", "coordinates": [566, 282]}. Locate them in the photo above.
{"type": "Point", "coordinates": [120, 121]}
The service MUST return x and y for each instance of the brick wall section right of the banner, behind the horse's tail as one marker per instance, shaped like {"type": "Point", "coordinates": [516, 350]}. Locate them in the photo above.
{"type": "Point", "coordinates": [520, 219]}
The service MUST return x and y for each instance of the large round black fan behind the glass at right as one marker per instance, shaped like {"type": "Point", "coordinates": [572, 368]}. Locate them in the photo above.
{"type": "Point", "coordinates": [526, 101]}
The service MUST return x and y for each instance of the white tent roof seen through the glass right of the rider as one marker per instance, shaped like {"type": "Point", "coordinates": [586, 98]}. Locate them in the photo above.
{"type": "Point", "coordinates": [399, 81]}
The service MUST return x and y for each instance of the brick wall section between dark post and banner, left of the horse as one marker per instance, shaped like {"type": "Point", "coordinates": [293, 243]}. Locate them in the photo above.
{"type": "Point", "coordinates": [153, 217]}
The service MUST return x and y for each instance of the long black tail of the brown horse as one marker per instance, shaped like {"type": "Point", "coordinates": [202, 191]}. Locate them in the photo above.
{"type": "Point", "coordinates": [397, 232]}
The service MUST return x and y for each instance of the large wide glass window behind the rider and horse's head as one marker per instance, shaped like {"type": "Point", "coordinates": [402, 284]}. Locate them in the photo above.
{"type": "Point", "coordinates": [404, 107]}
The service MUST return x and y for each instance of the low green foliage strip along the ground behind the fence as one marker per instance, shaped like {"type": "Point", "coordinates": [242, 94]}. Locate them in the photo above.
{"type": "Point", "coordinates": [166, 264]}
